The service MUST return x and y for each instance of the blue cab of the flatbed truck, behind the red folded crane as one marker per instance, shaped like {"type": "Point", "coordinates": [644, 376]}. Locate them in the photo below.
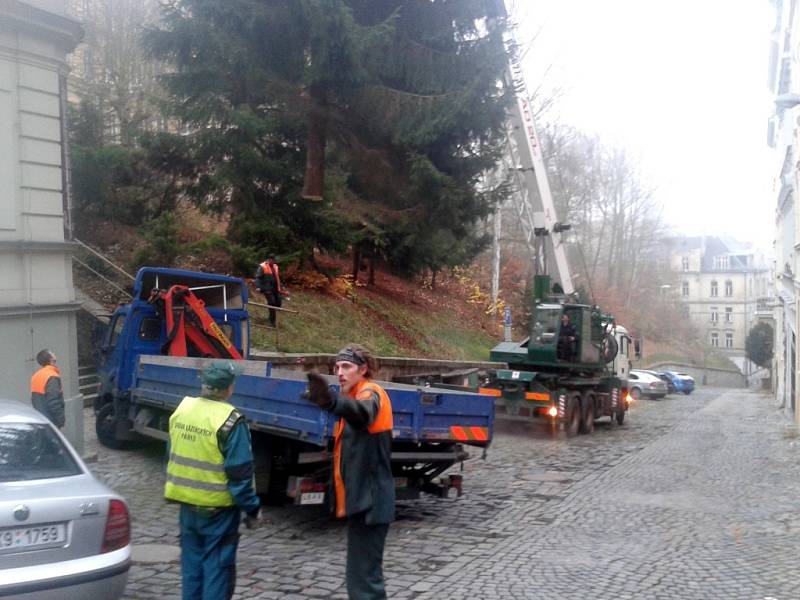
{"type": "Point", "coordinates": [139, 328]}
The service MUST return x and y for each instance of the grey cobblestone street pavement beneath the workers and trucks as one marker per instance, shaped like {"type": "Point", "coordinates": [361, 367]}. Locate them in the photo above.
{"type": "Point", "coordinates": [693, 497]}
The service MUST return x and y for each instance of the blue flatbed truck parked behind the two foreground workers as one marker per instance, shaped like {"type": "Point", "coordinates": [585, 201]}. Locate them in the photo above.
{"type": "Point", "coordinates": [292, 438]}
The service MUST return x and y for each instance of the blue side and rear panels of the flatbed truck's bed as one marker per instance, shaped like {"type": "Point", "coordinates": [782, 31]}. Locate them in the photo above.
{"type": "Point", "coordinates": [271, 400]}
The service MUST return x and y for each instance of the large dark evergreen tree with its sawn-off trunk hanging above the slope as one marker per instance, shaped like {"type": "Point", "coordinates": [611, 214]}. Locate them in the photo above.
{"type": "Point", "coordinates": [397, 100]}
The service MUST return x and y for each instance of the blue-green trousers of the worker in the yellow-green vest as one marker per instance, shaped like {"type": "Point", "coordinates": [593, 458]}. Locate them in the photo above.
{"type": "Point", "coordinates": [208, 552]}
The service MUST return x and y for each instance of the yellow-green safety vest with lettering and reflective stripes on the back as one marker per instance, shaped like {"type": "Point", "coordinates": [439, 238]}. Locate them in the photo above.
{"type": "Point", "coordinates": [196, 471]}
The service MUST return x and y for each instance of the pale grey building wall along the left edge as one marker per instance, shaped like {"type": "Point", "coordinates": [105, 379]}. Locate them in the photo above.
{"type": "Point", "coordinates": [37, 298]}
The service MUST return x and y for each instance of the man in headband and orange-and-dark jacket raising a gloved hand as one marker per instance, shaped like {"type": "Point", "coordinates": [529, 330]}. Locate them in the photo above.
{"type": "Point", "coordinates": [362, 470]}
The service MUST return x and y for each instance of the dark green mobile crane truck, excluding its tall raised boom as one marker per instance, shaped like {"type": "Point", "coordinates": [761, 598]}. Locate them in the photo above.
{"type": "Point", "coordinates": [570, 389]}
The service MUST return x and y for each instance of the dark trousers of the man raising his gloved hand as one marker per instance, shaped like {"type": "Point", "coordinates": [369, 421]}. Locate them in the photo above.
{"type": "Point", "coordinates": [365, 559]}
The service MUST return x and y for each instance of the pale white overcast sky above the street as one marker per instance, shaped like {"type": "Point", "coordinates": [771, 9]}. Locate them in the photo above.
{"type": "Point", "coordinates": [682, 85]}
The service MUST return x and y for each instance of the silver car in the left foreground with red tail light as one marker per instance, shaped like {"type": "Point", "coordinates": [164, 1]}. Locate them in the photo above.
{"type": "Point", "coordinates": [63, 534]}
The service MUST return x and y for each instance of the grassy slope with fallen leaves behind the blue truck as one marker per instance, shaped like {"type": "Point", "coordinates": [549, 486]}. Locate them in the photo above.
{"type": "Point", "coordinates": [383, 324]}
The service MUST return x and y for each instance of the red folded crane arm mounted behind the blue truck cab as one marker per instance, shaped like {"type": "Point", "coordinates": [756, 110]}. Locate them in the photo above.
{"type": "Point", "coordinates": [188, 322]}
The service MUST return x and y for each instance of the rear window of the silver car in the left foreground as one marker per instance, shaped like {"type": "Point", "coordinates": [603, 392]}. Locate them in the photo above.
{"type": "Point", "coordinates": [33, 451]}
